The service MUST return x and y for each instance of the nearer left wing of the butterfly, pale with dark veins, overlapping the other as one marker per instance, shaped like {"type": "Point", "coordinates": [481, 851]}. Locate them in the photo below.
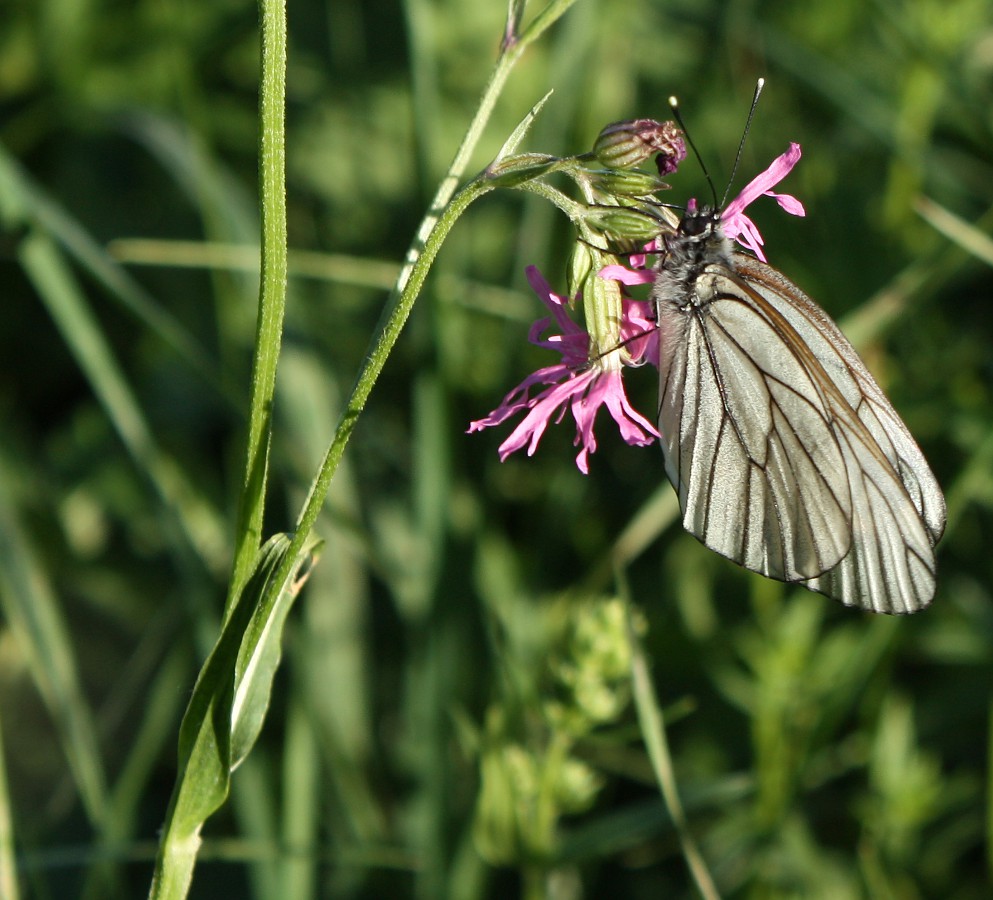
{"type": "Point", "coordinates": [747, 442]}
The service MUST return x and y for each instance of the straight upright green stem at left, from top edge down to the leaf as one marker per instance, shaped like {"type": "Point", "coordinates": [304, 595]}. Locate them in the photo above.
{"type": "Point", "coordinates": [272, 289]}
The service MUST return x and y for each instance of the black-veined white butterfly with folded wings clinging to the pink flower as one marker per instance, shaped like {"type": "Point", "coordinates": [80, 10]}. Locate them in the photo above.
{"type": "Point", "coordinates": [785, 454]}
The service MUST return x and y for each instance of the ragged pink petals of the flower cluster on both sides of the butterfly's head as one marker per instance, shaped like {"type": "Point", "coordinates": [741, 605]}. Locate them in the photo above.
{"type": "Point", "coordinates": [583, 381]}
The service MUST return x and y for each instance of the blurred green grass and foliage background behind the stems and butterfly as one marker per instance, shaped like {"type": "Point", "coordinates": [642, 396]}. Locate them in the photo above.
{"type": "Point", "coordinates": [445, 722]}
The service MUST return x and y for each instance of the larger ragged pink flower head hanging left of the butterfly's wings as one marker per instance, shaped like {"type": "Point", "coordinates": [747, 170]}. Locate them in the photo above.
{"type": "Point", "coordinates": [584, 384]}
